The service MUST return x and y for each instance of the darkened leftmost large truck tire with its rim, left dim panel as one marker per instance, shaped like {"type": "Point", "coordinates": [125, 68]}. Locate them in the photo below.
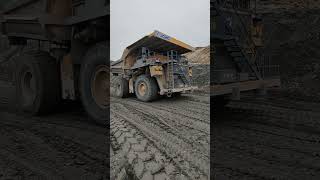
{"type": "Point", "coordinates": [37, 83]}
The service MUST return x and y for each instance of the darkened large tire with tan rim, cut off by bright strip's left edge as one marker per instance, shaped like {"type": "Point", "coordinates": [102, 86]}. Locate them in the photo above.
{"type": "Point", "coordinates": [94, 83]}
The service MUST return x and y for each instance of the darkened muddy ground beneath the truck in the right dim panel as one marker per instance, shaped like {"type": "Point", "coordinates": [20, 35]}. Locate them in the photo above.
{"type": "Point", "coordinates": [267, 140]}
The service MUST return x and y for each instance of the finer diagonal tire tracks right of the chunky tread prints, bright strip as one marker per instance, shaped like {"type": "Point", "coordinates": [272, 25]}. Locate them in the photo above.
{"type": "Point", "coordinates": [166, 135]}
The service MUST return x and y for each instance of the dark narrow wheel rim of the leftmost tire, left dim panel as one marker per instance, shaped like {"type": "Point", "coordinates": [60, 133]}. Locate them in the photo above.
{"type": "Point", "coordinates": [28, 87]}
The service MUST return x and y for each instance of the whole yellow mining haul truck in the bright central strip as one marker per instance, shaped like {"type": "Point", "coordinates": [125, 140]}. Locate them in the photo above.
{"type": "Point", "coordinates": [153, 66]}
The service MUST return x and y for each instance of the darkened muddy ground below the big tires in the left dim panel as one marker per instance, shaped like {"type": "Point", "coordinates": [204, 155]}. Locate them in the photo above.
{"type": "Point", "coordinates": [63, 145]}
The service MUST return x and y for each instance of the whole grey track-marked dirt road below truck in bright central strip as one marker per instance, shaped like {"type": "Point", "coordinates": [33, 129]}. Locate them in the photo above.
{"type": "Point", "coordinates": [168, 138]}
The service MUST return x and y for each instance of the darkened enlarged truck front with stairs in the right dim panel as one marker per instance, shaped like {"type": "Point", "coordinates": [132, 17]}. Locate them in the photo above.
{"type": "Point", "coordinates": [238, 63]}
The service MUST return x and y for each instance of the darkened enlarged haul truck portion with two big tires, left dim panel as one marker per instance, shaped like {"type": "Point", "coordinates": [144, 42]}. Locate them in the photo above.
{"type": "Point", "coordinates": [63, 54]}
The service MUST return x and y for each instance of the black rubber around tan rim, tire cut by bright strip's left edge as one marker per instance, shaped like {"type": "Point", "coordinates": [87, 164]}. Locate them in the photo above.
{"type": "Point", "coordinates": [96, 56]}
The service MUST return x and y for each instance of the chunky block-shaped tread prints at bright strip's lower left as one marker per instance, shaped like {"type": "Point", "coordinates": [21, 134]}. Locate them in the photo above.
{"type": "Point", "coordinates": [143, 159]}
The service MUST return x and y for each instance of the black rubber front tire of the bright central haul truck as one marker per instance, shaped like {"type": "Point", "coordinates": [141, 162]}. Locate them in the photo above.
{"type": "Point", "coordinates": [152, 88]}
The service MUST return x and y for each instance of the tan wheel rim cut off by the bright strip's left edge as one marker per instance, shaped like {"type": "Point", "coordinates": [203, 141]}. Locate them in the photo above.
{"type": "Point", "coordinates": [99, 86]}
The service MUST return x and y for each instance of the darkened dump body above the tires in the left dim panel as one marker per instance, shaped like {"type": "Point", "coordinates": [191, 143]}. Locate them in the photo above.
{"type": "Point", "coordinates": [49, 19]}
